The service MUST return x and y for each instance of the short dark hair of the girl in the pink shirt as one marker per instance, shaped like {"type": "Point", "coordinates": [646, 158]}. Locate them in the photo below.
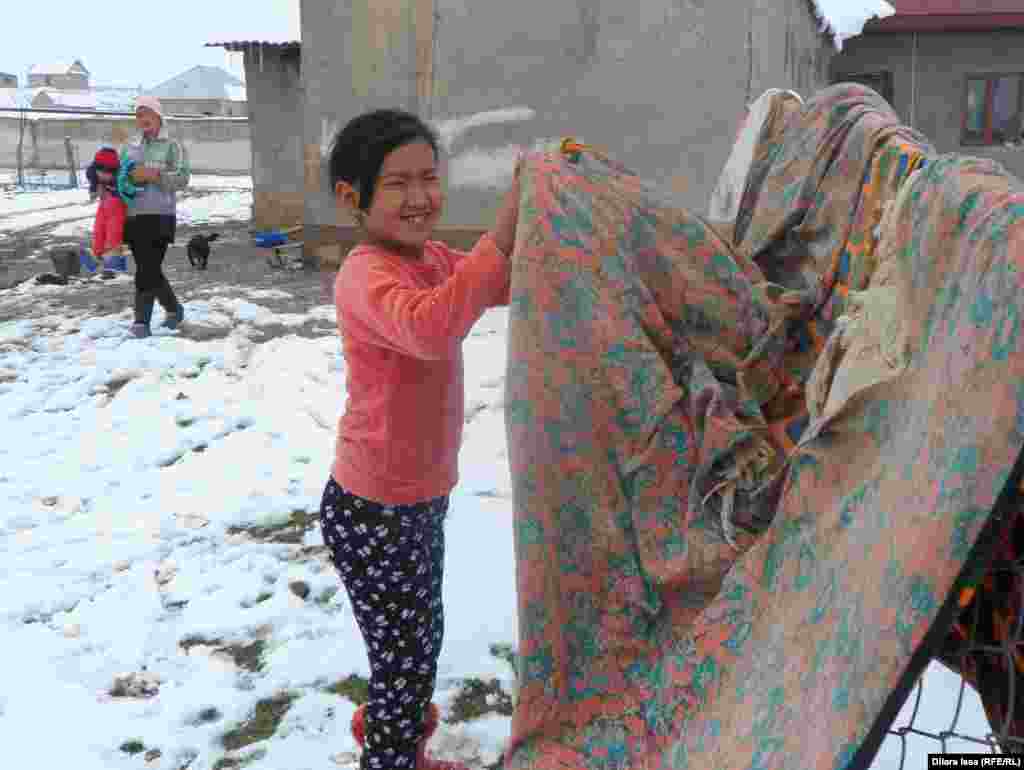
{"type": "Point", "coordinates": [359, 150]}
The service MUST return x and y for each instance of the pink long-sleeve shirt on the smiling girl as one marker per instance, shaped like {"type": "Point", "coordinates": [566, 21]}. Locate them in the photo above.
{"type": "Point", "coordinates": [403, 323]}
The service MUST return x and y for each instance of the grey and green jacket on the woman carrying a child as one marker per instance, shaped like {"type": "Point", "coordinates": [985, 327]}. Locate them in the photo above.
{"type": "Point", "coordinates": [173, 160]}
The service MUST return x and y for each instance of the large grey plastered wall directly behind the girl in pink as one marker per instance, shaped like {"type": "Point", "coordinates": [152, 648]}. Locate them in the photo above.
{"type": "Point", "coordinates": [659, 83]}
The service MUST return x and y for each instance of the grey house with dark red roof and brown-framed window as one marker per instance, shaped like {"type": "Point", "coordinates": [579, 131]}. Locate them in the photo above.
{"type": "Point", "coordinates": [952, 69]}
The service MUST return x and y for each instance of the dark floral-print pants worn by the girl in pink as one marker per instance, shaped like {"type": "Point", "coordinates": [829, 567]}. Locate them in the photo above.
{"type": "Point", "coordinates": [392, 560]}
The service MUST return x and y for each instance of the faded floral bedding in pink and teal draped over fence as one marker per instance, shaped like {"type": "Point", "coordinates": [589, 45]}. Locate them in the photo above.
{"type": "Point", "coordinates": [756, 462]}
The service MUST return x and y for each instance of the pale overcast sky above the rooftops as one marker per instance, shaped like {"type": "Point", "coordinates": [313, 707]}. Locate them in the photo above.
{"type": "Point", "coordinates": [146, 42]}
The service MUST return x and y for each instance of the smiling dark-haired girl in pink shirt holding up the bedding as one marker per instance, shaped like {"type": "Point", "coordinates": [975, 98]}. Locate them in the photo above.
{"type": "Point", "coordinates": [405, 304]}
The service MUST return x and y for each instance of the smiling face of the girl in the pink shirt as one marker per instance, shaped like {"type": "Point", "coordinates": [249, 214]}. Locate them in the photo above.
{"type": "Point", "coordinates": [408, 200]}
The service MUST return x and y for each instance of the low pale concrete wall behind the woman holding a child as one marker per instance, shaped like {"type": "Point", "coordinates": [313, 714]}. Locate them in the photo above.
{"type": "Point", "coordinates": [216, 147]}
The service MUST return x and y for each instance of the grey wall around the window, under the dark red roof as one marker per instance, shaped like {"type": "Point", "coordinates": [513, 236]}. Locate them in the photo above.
{"type": "Point", "coordinates": [945, 61]}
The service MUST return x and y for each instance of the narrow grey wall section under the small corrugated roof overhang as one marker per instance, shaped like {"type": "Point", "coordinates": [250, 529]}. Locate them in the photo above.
{"type": "Point", "coordinates": [274, 90]}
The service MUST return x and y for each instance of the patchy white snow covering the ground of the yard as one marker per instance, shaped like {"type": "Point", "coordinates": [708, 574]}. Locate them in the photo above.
{"type": "Point", "coordinates": [157, 520]}
